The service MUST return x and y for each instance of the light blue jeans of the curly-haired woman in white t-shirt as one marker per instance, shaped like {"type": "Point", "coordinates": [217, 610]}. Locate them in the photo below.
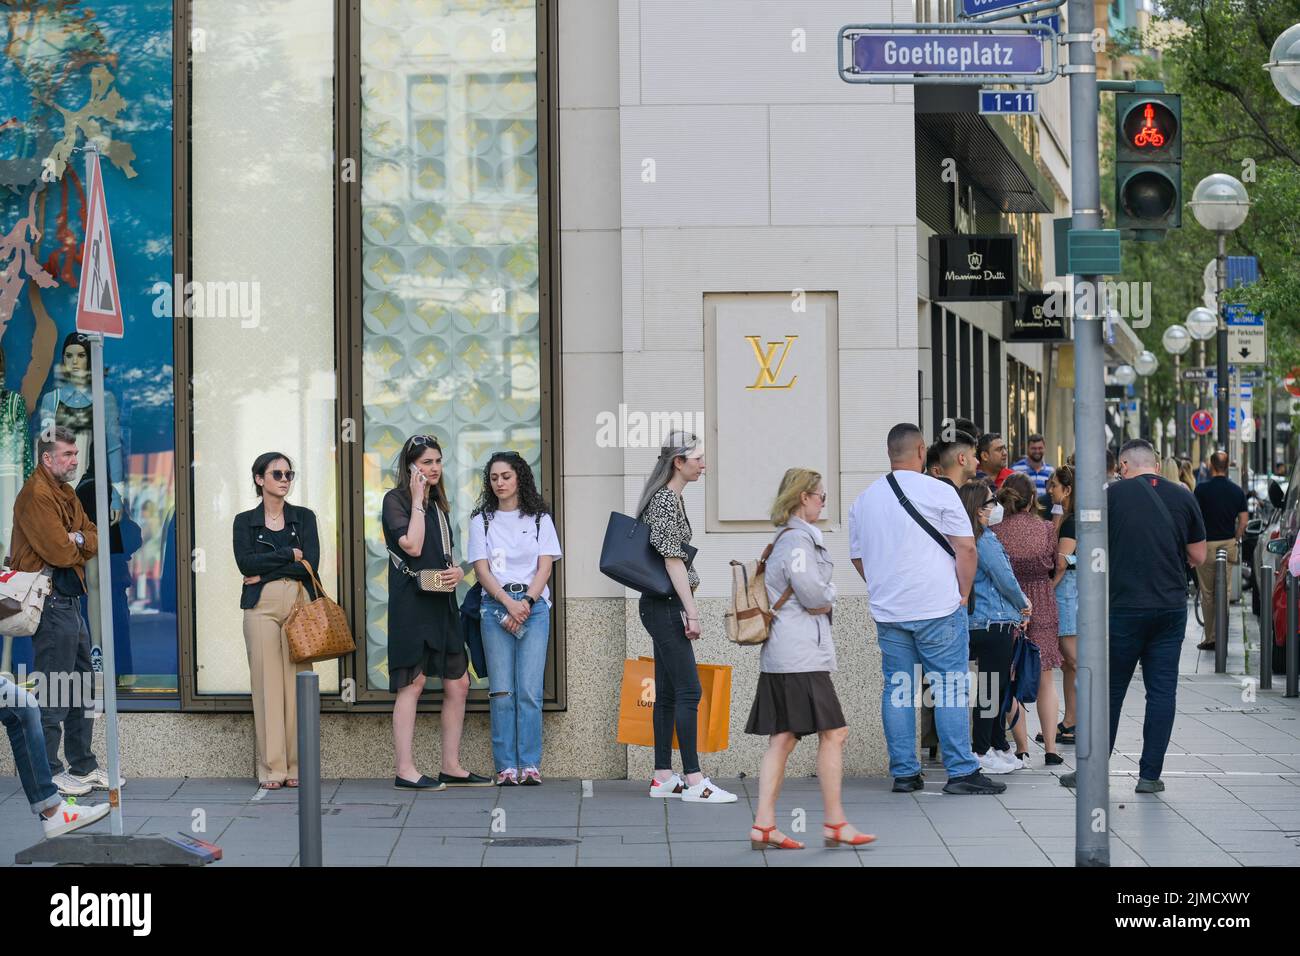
{"type": "Point", "coordinates": [517, 674]}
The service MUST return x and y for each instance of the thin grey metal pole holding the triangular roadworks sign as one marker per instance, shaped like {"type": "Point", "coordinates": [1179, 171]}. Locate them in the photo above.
{"type": "Point", "coordinates": [103, 529]}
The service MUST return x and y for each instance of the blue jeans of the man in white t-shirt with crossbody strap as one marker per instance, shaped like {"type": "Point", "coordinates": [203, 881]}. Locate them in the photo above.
{"type": "Point", "coordinates": [941, 650]}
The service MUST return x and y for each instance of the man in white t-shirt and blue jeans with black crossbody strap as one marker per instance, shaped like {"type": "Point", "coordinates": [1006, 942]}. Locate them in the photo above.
{"type": "Point", "coordinates": [920, 569]}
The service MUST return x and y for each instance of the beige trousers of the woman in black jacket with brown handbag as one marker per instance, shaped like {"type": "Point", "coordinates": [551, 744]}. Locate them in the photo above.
{"type": "Point", "coordinates": [272, 673]}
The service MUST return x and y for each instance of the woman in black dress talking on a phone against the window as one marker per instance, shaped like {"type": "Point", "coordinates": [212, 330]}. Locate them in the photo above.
{"type": "Point", "coordinates": [424, 626]}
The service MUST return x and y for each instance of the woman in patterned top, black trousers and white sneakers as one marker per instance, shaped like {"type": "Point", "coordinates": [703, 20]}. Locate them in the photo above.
{"type": "Point", "coordinates": [674, 624]}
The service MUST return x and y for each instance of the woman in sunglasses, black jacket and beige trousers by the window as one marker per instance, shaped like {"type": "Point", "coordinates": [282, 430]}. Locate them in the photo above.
{"type": "Point", "coordinates": [272, 540]}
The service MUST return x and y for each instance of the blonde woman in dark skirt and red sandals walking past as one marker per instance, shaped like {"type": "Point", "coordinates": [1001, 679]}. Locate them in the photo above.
{"type": "Point", "coordinates": [795, 694]}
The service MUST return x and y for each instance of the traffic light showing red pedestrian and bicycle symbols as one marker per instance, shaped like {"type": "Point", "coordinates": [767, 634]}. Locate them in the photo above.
{"type": "Point", "coordinates": [1149, 163]}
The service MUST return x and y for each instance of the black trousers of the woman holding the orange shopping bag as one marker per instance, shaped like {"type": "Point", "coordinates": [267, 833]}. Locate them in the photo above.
{"type": "Point", "coordinates": [677, 684]}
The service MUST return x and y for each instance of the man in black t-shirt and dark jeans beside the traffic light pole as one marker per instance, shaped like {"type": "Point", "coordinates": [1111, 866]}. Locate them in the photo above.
{"type": "Point", "coordinates": [1155, 533]}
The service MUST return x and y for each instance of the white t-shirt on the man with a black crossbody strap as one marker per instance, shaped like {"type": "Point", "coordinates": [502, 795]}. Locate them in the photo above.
{"type": "Point", "coordinates": [909, 577]}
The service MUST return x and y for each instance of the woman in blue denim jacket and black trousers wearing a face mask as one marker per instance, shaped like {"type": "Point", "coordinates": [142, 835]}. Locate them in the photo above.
{"type": "Point", "coordinates": [996, 607]}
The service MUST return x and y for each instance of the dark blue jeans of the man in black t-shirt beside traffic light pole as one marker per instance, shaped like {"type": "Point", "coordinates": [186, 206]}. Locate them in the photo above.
{"type": "Point", "coordinates": [1156, 639]}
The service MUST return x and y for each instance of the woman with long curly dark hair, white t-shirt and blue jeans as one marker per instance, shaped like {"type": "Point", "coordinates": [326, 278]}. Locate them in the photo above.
{"type": "Point", "coordinates": [514, 546]}
